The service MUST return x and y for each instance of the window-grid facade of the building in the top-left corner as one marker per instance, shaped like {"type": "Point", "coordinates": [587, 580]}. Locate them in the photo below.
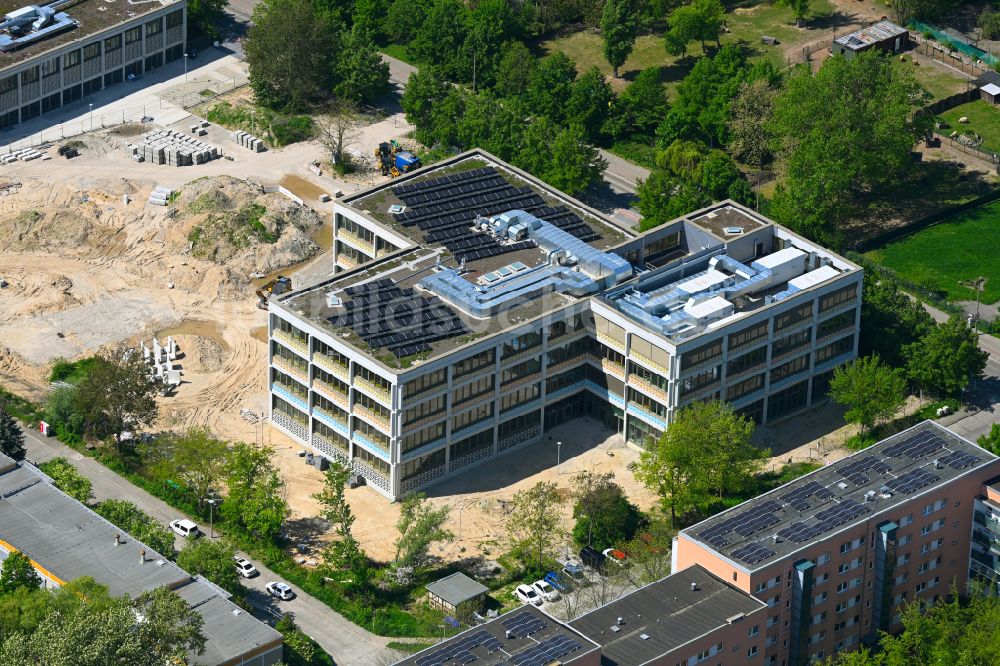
{"type": "Point", "coordinates": [68, 74]}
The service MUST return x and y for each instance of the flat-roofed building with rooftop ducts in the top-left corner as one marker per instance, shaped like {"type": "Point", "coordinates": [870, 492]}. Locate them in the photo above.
{"type": "Point", "coordinates": [57, 55]}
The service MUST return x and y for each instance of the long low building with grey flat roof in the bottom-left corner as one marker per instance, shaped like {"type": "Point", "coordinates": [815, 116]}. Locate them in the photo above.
{"type": "Point", "coordinates": [65, 540]}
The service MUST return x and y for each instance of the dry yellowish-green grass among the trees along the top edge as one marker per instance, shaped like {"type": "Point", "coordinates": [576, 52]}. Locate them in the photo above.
{"type": "Point", "coordinates": [746, 24]}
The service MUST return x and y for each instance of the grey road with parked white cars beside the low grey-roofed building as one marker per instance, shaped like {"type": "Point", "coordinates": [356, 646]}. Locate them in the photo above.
{"type": "Point", "coordinates": [343, 640]}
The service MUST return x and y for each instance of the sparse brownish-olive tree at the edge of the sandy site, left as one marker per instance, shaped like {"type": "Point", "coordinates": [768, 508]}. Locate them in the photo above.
{"type": "Point", "coordinates": [117, 395]}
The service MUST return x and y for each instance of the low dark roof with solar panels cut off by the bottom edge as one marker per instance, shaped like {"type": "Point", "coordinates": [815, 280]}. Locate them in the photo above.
{"type": "Point", "coordinates": [523, 637]}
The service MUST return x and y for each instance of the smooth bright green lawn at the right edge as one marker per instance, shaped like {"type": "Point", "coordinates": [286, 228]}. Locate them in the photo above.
{"type": "Point", "coordinates": [941, 256]}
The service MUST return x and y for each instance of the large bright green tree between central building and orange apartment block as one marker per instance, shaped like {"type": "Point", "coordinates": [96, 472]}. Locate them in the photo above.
{"type": "Point", "coordinates": [703, 454]}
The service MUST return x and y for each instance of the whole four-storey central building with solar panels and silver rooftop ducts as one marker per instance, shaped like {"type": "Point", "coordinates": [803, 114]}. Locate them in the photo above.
{"type": "Point", "coordinates": [474, 307]}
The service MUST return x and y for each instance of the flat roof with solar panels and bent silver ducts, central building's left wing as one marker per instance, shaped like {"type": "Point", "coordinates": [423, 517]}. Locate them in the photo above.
{"type": "Point", "coordinates": [490, 248]}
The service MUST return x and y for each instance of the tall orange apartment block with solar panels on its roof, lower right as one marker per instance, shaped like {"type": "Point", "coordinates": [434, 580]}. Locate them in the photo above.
{"type": "Point", "coordinates": [835, 553]}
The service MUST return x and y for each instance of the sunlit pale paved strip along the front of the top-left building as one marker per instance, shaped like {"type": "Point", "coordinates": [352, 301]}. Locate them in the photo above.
{"type": "Point", "coordinates": [140, 114]}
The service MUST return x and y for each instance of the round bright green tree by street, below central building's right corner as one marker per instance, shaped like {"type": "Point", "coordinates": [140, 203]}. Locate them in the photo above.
{"type": "Point", "coordinates": [872, 391]}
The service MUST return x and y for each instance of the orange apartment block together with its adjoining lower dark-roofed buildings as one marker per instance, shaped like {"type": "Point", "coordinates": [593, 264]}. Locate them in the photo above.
{"type": "Point", "coordinates": [815, 567]}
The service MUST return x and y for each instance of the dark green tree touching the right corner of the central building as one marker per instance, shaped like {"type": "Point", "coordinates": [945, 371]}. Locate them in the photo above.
{"type": "Point", "coordinates": [890, 320]}
